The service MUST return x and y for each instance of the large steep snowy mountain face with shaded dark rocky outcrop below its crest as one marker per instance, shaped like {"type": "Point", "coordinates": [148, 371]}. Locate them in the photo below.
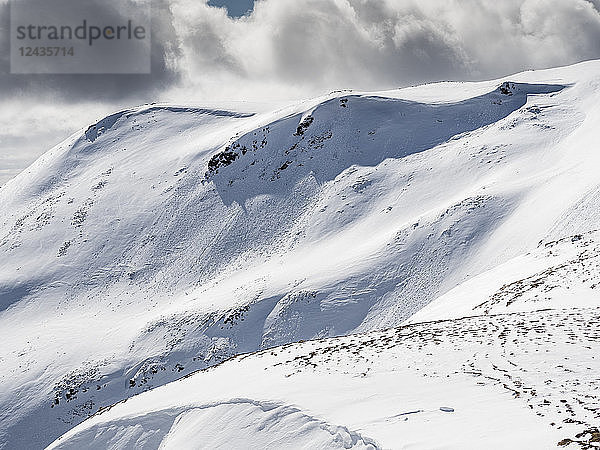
{"type": "Point", "coordinates": [163, 240]}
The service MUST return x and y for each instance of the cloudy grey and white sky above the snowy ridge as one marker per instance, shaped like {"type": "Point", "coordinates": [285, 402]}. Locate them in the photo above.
{"type": "Point", "coordinates": [215, 52]}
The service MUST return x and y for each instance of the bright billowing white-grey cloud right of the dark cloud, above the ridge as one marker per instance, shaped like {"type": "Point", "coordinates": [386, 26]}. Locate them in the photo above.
{"type": "Point", "coordinates": [315, 45]}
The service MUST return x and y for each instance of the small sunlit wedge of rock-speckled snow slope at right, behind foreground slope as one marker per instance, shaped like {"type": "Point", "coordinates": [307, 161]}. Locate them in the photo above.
{"type": "Point", "coordinates": [558, 274]}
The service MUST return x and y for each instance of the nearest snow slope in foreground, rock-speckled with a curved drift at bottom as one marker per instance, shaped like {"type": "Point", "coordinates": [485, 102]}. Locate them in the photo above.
{"type": "Point", "coordinates": [520, 381]}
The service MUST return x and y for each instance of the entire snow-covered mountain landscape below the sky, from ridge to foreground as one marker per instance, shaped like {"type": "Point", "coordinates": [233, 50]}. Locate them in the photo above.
{"type": "Point", "coordinates": [163, 240]}
